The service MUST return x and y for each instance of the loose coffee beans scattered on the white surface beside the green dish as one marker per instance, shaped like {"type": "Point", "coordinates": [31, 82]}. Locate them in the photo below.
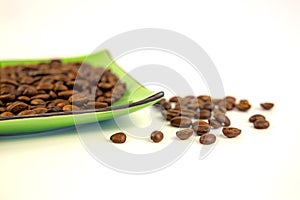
{"type": "Point", "coordinates": [199, 115]}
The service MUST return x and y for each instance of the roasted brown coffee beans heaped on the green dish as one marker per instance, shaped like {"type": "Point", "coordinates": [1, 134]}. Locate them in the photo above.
{"type": "Point", "coordinates": [56, 87]}
